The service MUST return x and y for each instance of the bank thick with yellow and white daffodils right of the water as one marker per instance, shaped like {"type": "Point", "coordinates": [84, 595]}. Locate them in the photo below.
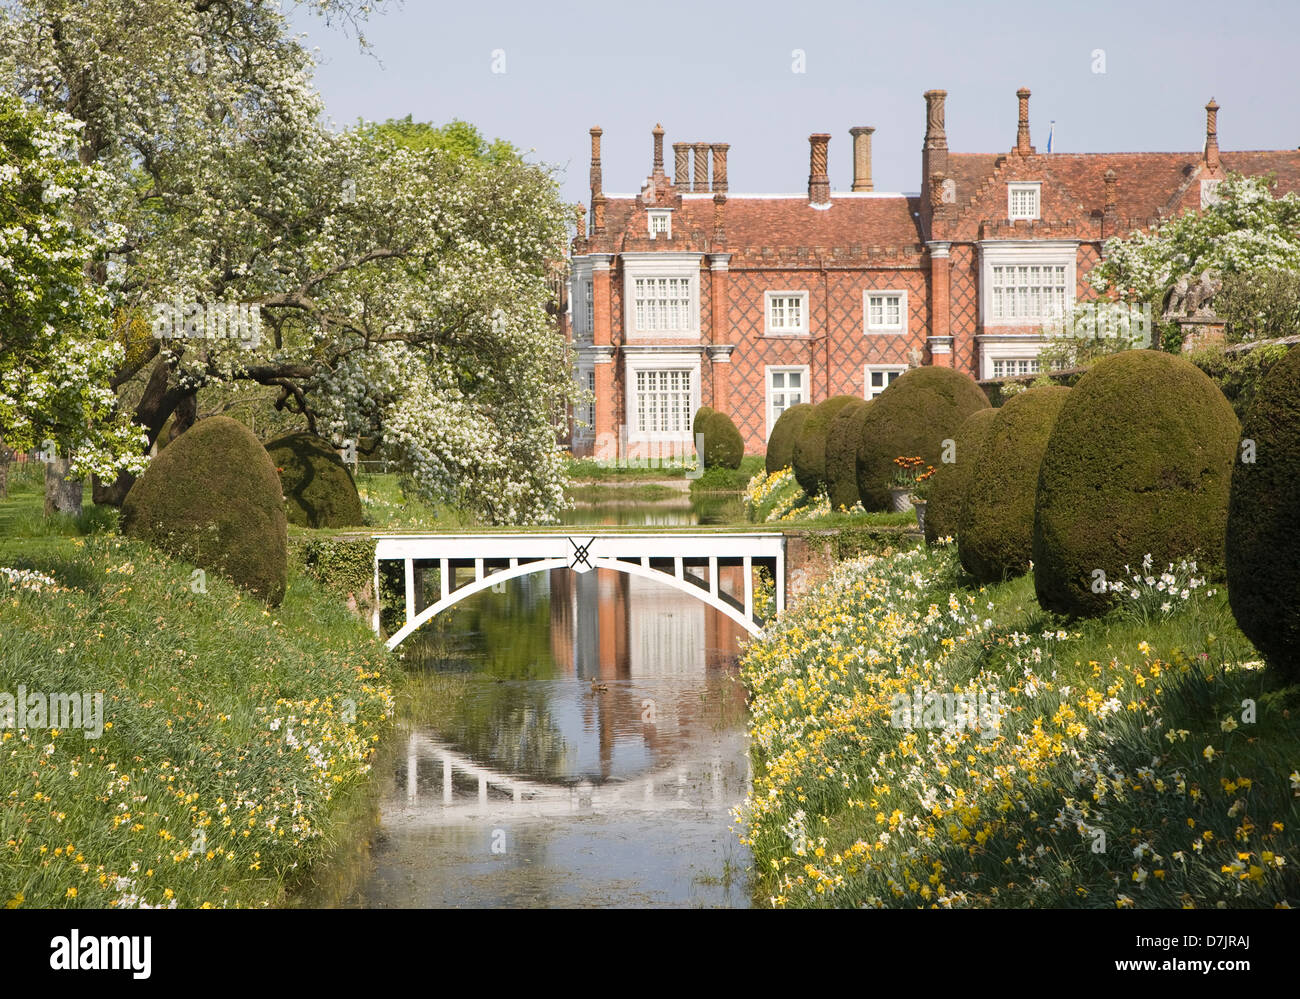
{"type": "Point", "coordinates": [1145, 759]}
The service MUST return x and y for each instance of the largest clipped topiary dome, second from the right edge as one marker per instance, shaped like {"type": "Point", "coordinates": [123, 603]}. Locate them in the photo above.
{"type": "Point", "coordinates": [1139, 462]}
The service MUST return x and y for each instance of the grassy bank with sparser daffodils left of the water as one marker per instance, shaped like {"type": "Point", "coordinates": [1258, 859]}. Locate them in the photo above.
{"type": "Point", "coordinates": [236, 741]}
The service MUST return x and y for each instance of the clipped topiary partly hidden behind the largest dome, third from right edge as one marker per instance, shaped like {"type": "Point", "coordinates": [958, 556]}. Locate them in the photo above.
{"type": "Point", "coordinates": [995, 535]}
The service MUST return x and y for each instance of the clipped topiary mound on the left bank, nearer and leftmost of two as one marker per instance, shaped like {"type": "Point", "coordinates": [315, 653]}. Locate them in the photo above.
{"type": "Point", "coordinates": [214, 499]}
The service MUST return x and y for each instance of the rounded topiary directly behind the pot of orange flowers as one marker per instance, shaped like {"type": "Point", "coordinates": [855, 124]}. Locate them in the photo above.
{"type": "Point", "coordinates": [915, 417]}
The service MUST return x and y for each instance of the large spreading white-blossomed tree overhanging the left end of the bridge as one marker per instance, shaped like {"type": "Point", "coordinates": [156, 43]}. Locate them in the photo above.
{"type": "Point", "coordinates": [404, 288]}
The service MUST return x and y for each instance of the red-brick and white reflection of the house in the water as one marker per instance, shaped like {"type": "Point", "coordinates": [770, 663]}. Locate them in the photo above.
{"type": "Point", "coordinates": [660, 650]}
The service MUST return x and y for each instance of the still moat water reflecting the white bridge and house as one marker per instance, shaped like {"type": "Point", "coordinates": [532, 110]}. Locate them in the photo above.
{"type": "Point", "coordinates": [587, 751]}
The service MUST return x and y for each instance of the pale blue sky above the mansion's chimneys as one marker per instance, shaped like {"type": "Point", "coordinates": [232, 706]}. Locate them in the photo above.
{"type": "Point", "coordinates": [722, 72]}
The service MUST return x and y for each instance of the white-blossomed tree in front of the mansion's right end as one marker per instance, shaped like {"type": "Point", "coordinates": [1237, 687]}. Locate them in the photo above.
{"type": "Point", "coordinates": [1246, 232]}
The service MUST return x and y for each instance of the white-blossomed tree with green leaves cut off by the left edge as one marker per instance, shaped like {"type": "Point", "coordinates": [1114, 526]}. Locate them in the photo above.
{"type": "Point", "coordinates": [55, 358]}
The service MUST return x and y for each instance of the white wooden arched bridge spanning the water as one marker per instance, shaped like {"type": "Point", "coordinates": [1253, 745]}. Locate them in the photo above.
{"type": "Point", "coordinates": [691, 563]}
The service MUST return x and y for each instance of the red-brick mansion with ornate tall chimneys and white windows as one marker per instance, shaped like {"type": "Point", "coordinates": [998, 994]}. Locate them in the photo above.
{"type": "Point", "coordinates": [690, 295]}
